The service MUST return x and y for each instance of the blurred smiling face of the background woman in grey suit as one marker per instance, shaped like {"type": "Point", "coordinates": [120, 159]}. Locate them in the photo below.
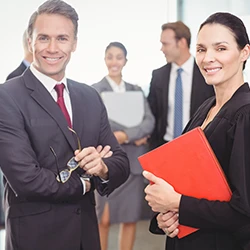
{"type": "Point", "coordinates": [115, 61]}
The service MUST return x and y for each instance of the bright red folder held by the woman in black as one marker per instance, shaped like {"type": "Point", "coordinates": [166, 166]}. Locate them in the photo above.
{"type": "Point", "coordinates": [189, 164]}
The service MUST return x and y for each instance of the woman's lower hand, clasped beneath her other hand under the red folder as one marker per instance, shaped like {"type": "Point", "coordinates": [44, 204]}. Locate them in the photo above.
{"type": "Point", "coordinates": [169, 223]}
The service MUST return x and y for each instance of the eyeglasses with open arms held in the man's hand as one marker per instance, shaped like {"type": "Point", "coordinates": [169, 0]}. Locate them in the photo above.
{"type": "Point", "coordinates": [72, 164]}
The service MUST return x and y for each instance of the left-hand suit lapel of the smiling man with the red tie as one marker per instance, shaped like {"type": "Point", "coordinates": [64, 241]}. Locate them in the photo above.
{"type": "Point", "coordinates": [40, 94]}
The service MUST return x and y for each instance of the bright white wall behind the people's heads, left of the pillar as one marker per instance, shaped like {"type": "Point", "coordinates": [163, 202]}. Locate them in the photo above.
{"type": "Point", "coordinates": [136, 23]}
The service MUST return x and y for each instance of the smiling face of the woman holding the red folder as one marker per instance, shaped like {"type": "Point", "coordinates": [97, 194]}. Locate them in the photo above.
{"type": "Point", "coordinates": [218, 55]}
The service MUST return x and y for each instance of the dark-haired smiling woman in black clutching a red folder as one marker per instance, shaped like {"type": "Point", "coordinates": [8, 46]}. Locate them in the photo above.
{"type": "Point", "coordinates": [221, 53]}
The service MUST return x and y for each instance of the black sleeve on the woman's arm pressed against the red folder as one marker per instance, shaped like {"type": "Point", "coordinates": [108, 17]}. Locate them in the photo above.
{"type": "Point", "coordinates": [233, 216]}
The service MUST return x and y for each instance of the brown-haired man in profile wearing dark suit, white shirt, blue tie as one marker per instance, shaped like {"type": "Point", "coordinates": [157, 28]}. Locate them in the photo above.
{"type": "Point", "coordinates": [175, 39]}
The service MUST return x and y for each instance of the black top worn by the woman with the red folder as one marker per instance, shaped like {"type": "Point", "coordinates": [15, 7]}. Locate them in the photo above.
{"type": "Point", "coordinates": [223, 225]}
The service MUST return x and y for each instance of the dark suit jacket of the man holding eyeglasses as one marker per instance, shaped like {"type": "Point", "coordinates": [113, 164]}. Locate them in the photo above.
{"type": "Point", "coordinates": [42, 213]}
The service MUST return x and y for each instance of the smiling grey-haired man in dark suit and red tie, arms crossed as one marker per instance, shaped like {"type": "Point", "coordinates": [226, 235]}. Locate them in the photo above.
{"type": "Point", "coordinates": [49, 201]}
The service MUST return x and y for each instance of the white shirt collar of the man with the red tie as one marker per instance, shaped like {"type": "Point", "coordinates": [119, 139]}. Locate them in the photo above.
{"type": "Point", "coordinates": [48, 82]}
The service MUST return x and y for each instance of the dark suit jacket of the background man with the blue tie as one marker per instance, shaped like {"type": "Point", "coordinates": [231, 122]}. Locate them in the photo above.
{"type": "Point", "coordinates": [158, 99]}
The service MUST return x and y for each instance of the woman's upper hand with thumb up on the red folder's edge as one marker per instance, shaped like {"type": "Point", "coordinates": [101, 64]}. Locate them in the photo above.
{"type": "Point", "coordinates": [160, 195]}
